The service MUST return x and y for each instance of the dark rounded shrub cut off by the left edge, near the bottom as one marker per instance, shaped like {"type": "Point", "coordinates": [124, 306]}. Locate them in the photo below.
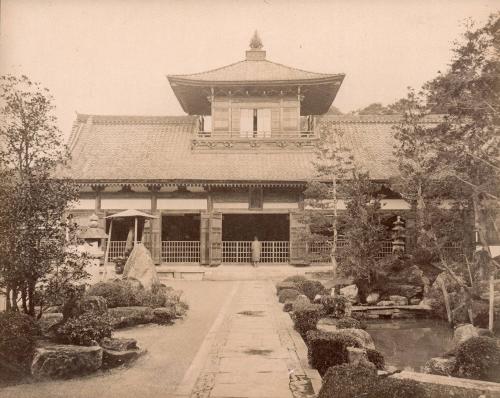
{"type": "Point", "coordinates": [18, 334]}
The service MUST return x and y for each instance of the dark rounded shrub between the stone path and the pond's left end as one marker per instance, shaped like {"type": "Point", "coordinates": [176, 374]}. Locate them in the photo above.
{"type": "Point", "coordinates": [327, 349]}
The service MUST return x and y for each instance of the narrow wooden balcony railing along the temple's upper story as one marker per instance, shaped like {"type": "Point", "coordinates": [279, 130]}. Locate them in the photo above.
{"type": "Point", "coordinates": [262, 135]}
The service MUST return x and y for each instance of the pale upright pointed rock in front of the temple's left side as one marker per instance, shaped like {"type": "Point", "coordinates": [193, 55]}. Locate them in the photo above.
{"type": "Point", "coordinates": [140, 266]}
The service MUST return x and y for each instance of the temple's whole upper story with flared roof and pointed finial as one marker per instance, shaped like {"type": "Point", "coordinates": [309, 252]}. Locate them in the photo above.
{"type": "Point", "coordinates": [255, 99]}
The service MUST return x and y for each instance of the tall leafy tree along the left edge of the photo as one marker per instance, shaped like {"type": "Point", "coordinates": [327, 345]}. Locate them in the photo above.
{"type": "Point", "coordinates": [36, 234]}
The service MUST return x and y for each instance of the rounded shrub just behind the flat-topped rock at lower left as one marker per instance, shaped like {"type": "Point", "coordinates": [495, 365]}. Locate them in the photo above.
{"type": "Point", "coordinates": [84, 329]}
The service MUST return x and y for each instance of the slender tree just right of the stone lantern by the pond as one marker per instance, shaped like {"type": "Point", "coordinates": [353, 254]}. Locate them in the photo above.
{"type": "Point", "coordinates": [422, 183]}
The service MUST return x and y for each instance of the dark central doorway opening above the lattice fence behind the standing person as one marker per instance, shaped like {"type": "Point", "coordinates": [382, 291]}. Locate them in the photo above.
{"type": "Point", "coordinates": [244, 227]}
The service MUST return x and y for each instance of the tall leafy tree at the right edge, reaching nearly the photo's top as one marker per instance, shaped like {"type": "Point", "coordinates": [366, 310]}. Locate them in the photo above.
{"type": "Point", "coordinates": [467, 142]}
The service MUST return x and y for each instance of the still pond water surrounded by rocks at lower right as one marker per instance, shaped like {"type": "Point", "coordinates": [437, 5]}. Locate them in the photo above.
{"type": "Point", "coordinates": [410, 343]}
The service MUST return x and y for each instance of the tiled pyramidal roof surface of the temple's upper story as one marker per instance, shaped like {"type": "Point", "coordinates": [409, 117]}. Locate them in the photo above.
{"type": "Point", "coordinates": [254, 71]}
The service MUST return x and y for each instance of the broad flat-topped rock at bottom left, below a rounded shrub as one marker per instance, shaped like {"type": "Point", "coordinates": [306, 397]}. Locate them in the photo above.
{"type": "Point", "coordinates": [64, 361]}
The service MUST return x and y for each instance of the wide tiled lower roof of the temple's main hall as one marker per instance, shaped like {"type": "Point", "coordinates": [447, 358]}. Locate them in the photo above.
{"type": "Point", "coordinates": [115, 148]}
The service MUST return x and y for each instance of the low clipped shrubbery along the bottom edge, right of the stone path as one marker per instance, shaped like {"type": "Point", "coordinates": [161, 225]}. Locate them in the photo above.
{"type": "Point", "coordinates": [348, 381]}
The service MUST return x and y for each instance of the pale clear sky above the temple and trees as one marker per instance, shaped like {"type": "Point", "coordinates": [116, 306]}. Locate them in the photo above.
{"type": "Point", "coordinates": [112, 56]}
